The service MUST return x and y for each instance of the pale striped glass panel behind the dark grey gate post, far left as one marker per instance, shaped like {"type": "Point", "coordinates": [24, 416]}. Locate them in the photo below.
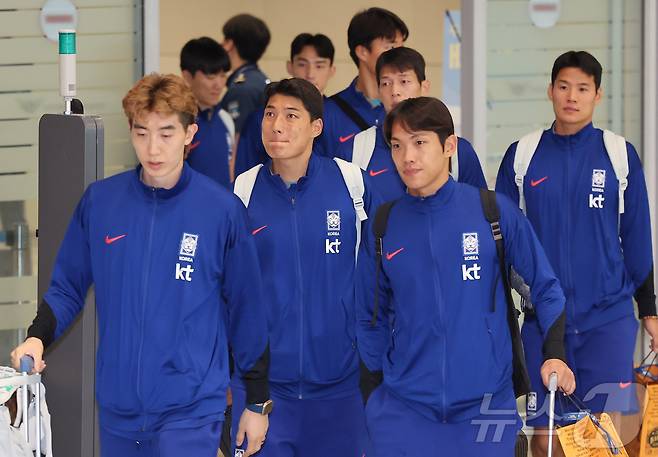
{"type": "Point", "coordinates": [109, 61]}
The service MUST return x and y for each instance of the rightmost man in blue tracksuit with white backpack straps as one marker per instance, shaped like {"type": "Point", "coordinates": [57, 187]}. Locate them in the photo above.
{"type": "Point", "coordinates": [596, 235]}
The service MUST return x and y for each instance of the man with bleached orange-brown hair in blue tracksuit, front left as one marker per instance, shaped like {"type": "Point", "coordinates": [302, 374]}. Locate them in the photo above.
{"type": "Point", "coordinates": [176, 279]}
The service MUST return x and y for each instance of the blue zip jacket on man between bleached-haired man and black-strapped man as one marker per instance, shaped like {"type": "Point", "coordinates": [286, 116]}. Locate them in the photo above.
{"type": "Point", "coordinates": [306, 237]}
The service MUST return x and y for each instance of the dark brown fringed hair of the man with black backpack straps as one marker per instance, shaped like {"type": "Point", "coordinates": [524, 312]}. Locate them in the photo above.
{"type": "Point", "coordinates": [421, 114]}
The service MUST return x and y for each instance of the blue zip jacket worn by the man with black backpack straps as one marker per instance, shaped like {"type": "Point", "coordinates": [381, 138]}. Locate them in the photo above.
{"type": "Point", "coordinates": [442, 336]}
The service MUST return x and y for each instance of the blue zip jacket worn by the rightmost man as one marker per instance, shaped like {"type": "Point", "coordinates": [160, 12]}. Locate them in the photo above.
{"type": "Point", "coordinates": [580, 232]}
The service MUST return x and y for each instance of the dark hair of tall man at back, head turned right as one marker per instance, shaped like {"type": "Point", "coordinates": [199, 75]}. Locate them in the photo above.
{"type": "Point", "coordinates": [370, 24]}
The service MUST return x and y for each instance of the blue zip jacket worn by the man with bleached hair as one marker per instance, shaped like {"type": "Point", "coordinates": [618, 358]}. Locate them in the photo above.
{"type": "Point", "coordinates": [176, 278]}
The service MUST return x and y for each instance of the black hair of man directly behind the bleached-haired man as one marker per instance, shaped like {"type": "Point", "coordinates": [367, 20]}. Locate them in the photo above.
{"type": "Point", "coordinates": [205, 55]}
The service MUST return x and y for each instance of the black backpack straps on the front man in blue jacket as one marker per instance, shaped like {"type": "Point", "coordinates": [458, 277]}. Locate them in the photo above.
{"type": "Point", "coordinates": [520, 375]}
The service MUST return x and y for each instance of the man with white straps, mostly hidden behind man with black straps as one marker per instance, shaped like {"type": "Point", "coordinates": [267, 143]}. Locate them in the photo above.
{"type": "Point", "coordinates": [401, 75]}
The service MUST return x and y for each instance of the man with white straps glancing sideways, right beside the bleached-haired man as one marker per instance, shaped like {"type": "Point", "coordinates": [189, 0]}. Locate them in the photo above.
{"type": "Point", "coordinates": [306, 220]}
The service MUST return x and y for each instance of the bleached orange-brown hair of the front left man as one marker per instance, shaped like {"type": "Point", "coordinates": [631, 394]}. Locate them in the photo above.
{"type": "Point", "coordinates": [162, 94]}
